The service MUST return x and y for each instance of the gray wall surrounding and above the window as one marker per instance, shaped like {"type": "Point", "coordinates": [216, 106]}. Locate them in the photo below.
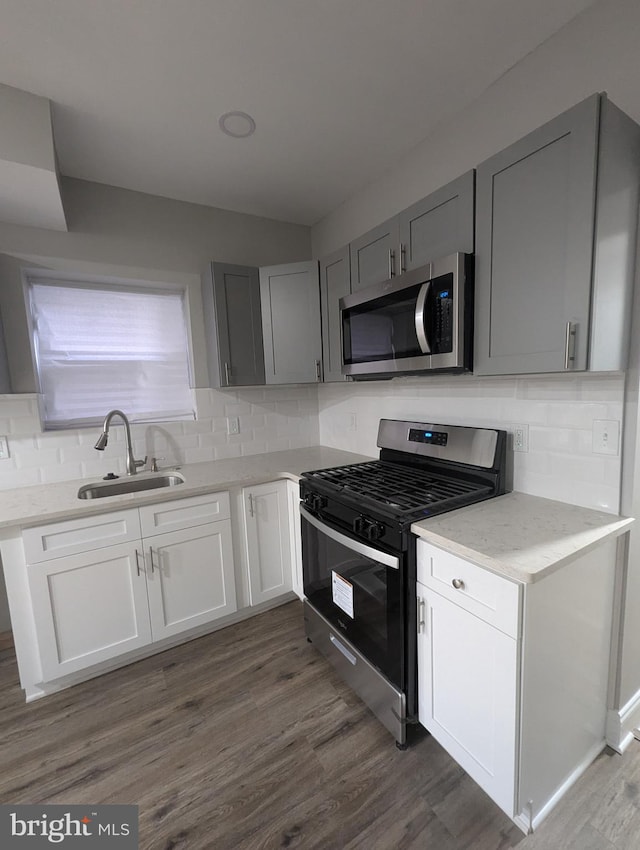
{"type": "Point", "coordinates": [133, 235]}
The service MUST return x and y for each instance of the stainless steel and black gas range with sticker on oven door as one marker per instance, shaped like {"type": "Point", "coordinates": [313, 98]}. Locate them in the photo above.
{"type": "Point", "coordinates": [358, 553]}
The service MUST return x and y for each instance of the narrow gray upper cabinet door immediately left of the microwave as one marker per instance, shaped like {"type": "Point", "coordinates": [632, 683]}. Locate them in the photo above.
{"type": "Point", "coordinates": [335, 282]}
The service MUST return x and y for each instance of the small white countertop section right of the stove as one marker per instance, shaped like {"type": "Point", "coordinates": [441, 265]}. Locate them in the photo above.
{"type": "Point", "coordinates": [520, 536]}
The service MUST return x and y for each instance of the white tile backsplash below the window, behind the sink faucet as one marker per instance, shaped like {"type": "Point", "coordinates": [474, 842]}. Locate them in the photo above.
{"type": "Point", "coordinates": [270, 419]}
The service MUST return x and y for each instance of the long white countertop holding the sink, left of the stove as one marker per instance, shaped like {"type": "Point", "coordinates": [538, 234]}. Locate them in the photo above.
{"type": "Point", "coordinates": [46, 503]}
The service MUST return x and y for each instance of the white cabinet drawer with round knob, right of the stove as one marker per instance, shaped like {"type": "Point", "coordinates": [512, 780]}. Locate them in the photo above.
{"type": "Point", "coordinates": [494, 599]}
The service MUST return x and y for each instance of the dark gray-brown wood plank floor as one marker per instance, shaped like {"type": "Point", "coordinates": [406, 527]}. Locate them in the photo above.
{"type": "Point", "coordinates": [246, 740]}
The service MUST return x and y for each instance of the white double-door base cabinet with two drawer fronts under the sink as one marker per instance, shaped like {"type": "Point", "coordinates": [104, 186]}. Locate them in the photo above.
{"type": "Point", "coordinates": [95, 605]}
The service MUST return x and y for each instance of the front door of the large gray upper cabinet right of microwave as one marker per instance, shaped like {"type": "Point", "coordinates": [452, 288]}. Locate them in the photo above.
{"type": "Point", "coordinates": [534, 243]}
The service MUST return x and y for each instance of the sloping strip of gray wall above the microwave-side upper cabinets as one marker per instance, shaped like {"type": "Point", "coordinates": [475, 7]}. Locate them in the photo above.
{"type": "Point", "coordinates": [598, 51]}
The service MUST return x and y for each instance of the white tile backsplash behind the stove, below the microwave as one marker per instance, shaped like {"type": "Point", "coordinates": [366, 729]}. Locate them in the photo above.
{"type": "Point", "coordinates": [559, 410]}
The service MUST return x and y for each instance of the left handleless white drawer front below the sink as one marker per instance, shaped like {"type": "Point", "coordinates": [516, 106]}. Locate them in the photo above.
{"type": "Point", "coordinates": [59, 539]}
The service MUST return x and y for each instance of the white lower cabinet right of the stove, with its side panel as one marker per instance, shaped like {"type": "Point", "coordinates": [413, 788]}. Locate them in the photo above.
{"type": "Point", "coordinates": [513, 677]}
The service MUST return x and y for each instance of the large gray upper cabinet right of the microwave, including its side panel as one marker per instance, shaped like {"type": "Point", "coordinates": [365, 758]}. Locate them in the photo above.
{"type": "Point", "coordinates": [556, 216]}
